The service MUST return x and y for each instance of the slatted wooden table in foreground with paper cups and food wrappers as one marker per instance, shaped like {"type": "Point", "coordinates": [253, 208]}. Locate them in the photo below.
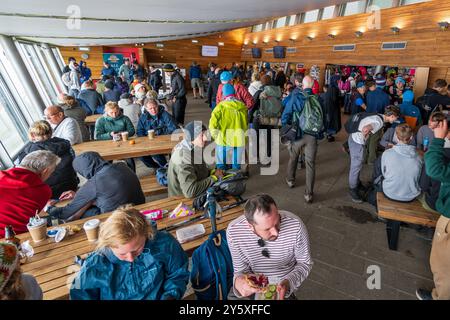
{"type": "Point", "coordinates": [53, 263]}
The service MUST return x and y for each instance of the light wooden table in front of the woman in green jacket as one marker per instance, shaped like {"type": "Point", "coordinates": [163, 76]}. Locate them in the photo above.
{"type": "Point", "coordinates": [112, 150]}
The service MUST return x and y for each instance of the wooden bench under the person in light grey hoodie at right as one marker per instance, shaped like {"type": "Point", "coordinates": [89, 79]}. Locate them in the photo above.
{"type": "Point", "coordinates": [398, 212]}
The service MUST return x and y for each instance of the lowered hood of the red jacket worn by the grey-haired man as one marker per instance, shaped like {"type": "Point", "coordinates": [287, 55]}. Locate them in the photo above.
{"type": "Point", "coordinates": [18, 178]}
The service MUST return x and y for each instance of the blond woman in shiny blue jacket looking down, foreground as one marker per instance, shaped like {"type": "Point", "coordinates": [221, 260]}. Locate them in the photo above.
{"type": "Point", "coordinates": [132, 262]}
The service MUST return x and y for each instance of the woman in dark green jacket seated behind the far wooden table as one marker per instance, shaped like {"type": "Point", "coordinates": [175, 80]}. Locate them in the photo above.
{"type": "Point", "coordinates": [112, 122]}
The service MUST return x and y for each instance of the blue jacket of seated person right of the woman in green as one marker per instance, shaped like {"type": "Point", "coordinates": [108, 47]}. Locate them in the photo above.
{"type": "Point", "coordinates": [162, 123]}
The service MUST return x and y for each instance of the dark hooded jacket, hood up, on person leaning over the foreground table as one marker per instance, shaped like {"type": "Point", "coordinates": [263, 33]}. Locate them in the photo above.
{"type": "Point", "coordinates": [108, 187]}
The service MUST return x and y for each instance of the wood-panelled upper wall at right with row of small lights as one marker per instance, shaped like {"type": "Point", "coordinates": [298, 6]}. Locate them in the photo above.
{"type": "Point", "coordinates": [427, 46]}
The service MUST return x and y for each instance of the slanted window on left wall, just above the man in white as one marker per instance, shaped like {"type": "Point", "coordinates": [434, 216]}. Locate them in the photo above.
{"type": "Point", "coordinates": [39, 71]}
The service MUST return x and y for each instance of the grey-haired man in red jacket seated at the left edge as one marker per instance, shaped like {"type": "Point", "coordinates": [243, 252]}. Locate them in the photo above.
{"type": "Point", "coordinates": [23, 191]}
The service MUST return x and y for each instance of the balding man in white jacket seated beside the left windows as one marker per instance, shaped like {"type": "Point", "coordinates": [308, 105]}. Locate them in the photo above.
{"type": "Point", "coordinates": [63, 127]}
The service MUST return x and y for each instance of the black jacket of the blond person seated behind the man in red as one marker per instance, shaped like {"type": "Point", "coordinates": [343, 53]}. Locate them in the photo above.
{"type": "Point", "coordinates": [64, 177]}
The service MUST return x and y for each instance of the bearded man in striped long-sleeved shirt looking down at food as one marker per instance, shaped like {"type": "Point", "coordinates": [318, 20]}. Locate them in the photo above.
{"type": "Point", "coordinates": [268, 241]}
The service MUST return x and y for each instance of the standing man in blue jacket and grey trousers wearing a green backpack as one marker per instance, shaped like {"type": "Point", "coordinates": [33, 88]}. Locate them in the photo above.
{"type": "Point", "coordinates": [302, 140]}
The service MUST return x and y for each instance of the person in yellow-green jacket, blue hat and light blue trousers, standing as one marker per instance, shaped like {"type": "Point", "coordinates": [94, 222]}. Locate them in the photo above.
{"type": "Point", "coordinates": [228, 126]}
